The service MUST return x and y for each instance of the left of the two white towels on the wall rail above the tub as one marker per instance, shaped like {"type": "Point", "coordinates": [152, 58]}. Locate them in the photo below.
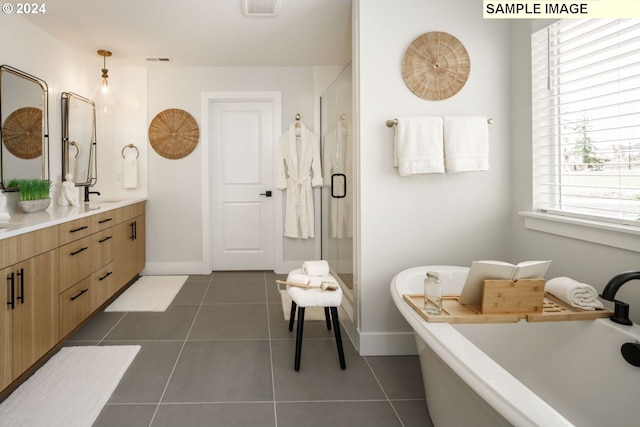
{"type": "Point", "coordinates": [418, 145]}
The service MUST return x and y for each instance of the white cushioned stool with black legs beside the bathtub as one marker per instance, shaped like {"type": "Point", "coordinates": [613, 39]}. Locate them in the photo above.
{"type": "Point", "coordinates": [330, 300]}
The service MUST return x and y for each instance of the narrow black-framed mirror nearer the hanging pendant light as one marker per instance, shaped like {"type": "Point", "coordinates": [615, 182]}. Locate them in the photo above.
{"type": "Point", "coordinates": [79, 139]}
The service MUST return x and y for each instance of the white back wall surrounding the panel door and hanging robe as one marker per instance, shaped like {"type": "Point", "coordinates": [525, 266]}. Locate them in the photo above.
{"type": "Point", "coordinates": [174, 220]}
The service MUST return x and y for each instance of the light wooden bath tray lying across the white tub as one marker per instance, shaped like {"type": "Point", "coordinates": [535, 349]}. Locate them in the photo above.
{"type": "Point", "coordinates": [454, 312]}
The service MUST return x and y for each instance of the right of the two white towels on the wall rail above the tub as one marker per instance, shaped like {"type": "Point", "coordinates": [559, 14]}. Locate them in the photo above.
{"type": "Point", "coordinates": [466, 143]}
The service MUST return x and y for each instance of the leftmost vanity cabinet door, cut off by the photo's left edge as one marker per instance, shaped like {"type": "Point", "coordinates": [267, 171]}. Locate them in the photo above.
{"type": "Point", "coordinates": [6, 348]}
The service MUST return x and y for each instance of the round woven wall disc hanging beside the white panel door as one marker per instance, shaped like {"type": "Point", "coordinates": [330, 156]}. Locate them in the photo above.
{"type": "Point", "coordinates": [174, 133]}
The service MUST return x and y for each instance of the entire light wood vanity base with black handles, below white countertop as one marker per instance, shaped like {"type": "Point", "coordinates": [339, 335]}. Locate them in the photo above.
{"type": "Point", "coordinates": [54, 278]}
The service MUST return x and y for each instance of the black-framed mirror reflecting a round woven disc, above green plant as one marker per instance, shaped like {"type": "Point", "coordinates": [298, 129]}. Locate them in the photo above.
{"type": "Point", "coordinates": [24, 126]}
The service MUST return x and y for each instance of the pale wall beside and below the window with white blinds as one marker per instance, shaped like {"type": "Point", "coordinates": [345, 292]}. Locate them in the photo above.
{"type": "Point", "coordinates": [587, 262]}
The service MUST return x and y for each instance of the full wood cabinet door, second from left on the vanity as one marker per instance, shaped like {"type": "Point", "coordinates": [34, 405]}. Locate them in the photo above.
{"type": "Point", "coordinates": [35, 316]}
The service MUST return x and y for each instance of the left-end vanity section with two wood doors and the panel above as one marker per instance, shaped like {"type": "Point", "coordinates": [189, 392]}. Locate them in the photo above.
{"type": "Point", "coordinates": [29, 302]}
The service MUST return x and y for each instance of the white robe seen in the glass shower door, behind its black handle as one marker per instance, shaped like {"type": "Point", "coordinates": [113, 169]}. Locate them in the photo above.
{"type": "Point", "coordinates": [337, 159]}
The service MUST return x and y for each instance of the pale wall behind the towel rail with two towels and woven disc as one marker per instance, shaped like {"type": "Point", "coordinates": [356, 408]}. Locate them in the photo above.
{"type": "Point", "coordinates": [421, 220]}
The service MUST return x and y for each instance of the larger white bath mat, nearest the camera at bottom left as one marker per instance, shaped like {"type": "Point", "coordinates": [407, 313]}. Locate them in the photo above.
{"type": "Point", "coordinates": [70, 389]}
